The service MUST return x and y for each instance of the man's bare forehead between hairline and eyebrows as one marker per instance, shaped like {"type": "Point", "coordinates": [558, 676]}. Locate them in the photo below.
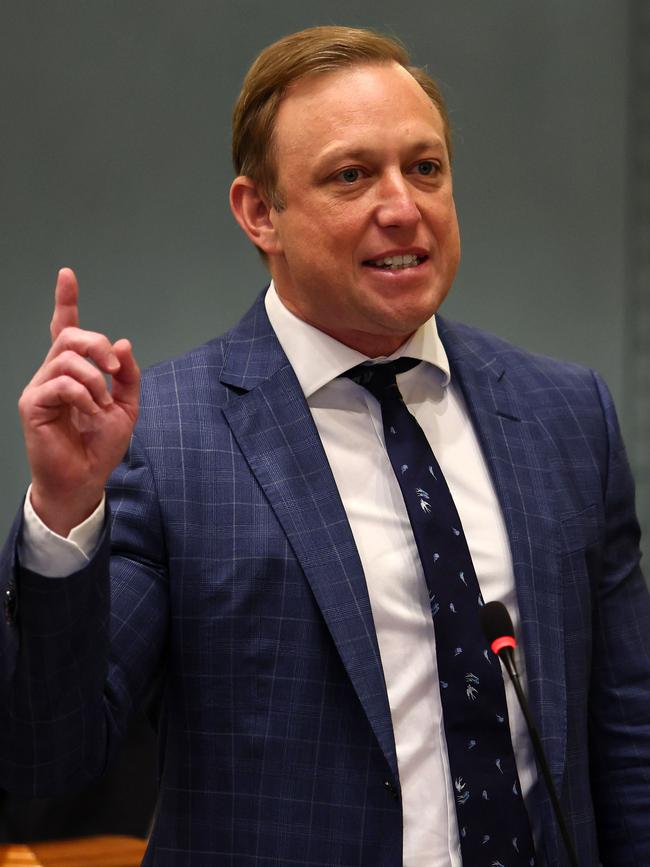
{"type": "Point", "coordinates": [350, 106]}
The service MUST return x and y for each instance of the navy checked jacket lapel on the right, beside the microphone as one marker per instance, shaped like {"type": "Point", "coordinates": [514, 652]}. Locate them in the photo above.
{"type": "Point", "coordinates": [514, 447]}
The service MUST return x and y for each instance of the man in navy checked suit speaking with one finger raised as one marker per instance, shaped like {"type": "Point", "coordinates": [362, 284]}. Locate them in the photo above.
{"type": "Point", "coordinates": [264, 562]}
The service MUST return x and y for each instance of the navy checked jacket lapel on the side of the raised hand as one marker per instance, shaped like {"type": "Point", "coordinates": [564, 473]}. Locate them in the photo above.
{"type": "Point", "coordinates": [276, 433]}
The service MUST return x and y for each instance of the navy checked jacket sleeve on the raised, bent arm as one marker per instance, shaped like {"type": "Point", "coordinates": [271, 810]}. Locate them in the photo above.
{"type": "Point", "coordinates": [78, 654]}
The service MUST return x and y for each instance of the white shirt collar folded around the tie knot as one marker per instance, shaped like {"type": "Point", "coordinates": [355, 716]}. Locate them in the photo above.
{"type": "Point", "coordinates": [317, 358]}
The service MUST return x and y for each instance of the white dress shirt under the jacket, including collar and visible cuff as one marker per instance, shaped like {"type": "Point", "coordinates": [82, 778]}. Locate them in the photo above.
{"type": "Point", "coordinates": [348, 420]}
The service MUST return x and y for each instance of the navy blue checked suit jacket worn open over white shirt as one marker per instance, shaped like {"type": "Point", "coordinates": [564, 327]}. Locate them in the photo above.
{"type": "Point", "coordinates": [235, 587]}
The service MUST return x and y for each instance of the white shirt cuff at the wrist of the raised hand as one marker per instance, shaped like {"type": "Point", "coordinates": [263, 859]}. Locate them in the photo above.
{"type": "Point", "coordinates": [43, 551]}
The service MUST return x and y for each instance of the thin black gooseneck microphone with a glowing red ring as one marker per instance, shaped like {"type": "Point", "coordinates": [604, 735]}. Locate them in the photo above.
{"type": "Point", "coordinates": [498, 629]}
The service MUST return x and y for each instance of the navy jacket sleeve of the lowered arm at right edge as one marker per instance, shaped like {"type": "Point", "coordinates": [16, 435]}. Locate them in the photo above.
{"type": "Point", "coordinates": [619, 720]}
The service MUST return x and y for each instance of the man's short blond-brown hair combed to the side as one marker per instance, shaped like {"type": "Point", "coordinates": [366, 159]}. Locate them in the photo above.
{"type": "Point", "coordinates": [308, 52]}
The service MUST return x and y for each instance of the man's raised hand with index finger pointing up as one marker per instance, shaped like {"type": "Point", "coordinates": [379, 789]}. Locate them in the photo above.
{"type": "Point", "coordinates": [77, 429]}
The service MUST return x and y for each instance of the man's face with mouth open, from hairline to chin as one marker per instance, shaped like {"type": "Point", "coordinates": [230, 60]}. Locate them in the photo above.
{"type": "Point", "coordinates": [367, 244]}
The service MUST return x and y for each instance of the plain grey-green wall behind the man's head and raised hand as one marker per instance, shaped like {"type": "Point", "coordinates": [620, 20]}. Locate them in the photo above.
{"type": "Point", "coordinates": [114, 160]}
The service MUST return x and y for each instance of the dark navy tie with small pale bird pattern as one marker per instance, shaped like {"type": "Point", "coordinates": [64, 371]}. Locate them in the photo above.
{"type": "Point", "coordinates": [492, 820]}
